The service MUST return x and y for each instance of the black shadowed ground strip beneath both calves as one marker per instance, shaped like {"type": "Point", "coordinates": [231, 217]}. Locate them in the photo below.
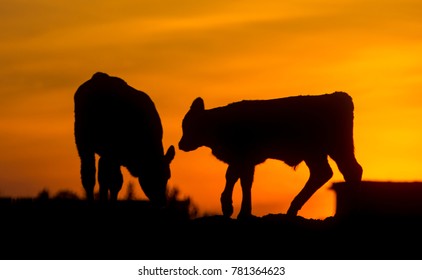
{"type": "Point", "coordinates": [58, 229]}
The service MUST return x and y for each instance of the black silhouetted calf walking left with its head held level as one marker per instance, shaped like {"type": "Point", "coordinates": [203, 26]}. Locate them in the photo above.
{"type": "Point", "coordinates": [292, 129]}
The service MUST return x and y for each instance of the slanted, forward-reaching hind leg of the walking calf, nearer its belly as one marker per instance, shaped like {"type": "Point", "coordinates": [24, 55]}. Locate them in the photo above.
{"type": "Point", "coordinates": [320, 173]}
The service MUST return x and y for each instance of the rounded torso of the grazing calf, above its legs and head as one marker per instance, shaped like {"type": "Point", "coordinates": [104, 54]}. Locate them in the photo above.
{"type": "Point", "coordinates": [114, 118]}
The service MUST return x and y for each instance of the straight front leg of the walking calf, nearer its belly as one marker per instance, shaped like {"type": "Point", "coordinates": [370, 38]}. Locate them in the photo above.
{"type": "Point", "coordinates": [246, 179]}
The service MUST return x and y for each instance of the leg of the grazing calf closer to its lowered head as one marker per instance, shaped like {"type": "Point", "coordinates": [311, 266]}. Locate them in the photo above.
{"type": "Point", "coordinates": [110, 178]}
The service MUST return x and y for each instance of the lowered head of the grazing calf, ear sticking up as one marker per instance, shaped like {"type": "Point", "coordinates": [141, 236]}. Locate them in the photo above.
{"type": "Point", "coordinates": [154, 176]}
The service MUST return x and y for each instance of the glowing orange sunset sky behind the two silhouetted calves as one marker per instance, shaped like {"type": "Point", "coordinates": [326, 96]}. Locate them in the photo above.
{"type": "Point", "coordinates": [223, 51]}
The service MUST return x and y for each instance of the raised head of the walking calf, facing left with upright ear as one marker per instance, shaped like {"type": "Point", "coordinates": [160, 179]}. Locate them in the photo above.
{"type": "Point", "coordinates": [191, 138]}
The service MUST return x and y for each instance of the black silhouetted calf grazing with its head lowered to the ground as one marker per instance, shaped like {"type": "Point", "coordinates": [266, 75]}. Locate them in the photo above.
{"type": "Point", "coordinates": [122, 126]}
